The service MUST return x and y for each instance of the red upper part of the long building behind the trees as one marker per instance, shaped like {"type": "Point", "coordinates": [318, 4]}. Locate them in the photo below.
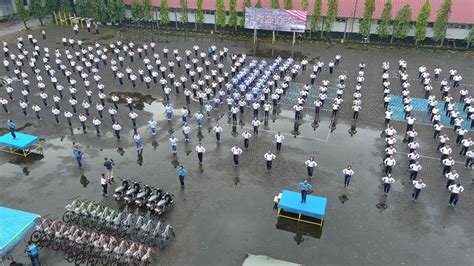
{"type": "Point", "coordinates": [462, 10]}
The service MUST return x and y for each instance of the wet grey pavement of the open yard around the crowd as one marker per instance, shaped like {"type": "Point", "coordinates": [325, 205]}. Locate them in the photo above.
{"type": "Point", "coordinates": [225, 211]}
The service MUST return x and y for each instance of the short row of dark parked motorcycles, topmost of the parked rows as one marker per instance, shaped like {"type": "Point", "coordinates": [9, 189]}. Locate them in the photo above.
{"type": "Point", "coordinates": [155, 199]}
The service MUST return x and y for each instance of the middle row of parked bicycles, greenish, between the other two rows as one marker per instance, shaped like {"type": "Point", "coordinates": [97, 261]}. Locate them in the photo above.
{"type": "Point", "coordinates": [103, 219]}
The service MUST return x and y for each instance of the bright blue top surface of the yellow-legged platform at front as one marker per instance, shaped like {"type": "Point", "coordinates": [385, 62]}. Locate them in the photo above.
{"type": "Point", "coordinates": [291, 202]}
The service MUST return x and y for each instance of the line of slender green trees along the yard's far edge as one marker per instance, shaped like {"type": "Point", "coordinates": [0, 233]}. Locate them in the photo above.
{"type": "Point", "coordinates": [393, 26]}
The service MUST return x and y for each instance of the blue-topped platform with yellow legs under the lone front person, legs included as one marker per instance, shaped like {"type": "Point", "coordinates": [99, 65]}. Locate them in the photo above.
{"type": "Point", "coordinates": [290, 207]}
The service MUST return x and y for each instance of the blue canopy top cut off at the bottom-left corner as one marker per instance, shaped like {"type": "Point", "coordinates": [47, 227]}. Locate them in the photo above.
{"type": "Point", "coordinates": [14, 226]}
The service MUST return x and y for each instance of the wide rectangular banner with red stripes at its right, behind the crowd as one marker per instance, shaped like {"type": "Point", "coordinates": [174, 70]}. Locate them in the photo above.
{"type": "Point", "coordinates": [275, 19]}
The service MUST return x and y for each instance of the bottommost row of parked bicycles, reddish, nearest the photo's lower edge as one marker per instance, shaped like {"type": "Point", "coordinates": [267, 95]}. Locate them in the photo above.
{"type": "Point", "coordinates": [82, 246]}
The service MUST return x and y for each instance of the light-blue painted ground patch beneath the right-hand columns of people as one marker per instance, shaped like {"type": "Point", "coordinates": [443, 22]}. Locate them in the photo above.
{"type": "Point", "coordinates": [420, 111]}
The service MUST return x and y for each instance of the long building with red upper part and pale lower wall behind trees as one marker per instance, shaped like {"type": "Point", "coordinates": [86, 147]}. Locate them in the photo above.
{"type": "Point", "coordinates": [350, 12]}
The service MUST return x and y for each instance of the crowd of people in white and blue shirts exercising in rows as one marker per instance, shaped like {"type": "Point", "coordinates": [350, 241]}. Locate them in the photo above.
{"type": "Point", "coordinates": [42, 79]}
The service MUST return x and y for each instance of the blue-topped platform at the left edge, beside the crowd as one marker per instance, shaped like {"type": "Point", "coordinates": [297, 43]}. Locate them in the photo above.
{"type": "Point", "coordinates": [23, 145]}
